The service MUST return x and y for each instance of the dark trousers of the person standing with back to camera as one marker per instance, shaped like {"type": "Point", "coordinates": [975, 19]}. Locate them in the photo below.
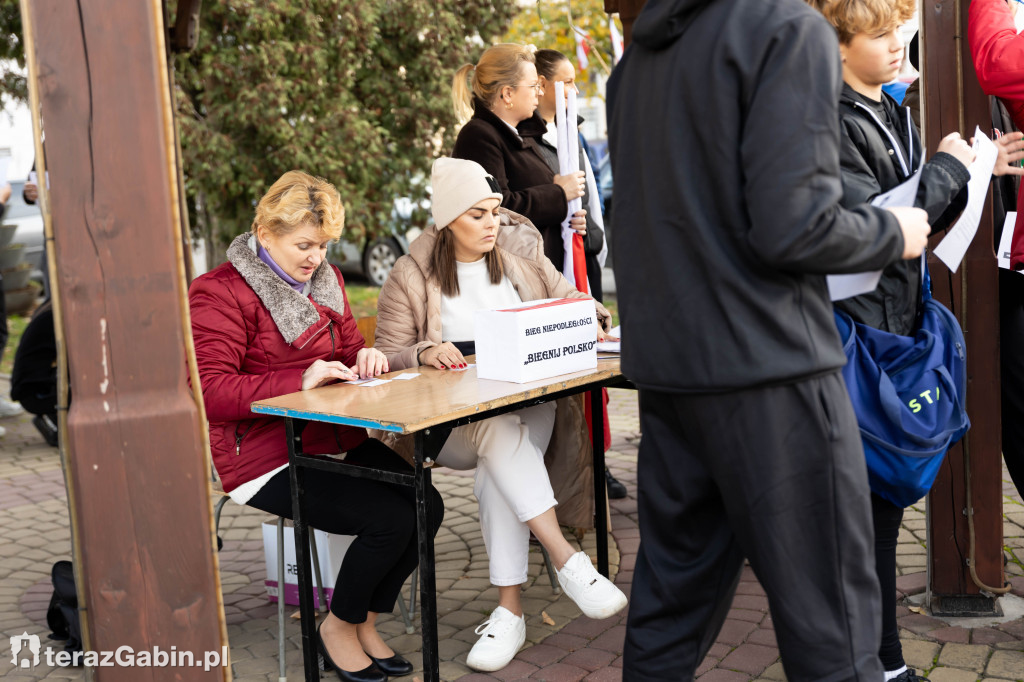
{"type": "Point", "coordinates": [775, 475]}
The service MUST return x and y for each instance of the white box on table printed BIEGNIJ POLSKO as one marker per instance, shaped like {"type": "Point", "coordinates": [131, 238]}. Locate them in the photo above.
{"type": "Point", "coordinates": [537, 340]}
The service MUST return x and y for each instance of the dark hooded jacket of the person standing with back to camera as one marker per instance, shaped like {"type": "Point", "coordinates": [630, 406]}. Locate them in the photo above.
{"type": "Point", "coordinates": [726, 152]}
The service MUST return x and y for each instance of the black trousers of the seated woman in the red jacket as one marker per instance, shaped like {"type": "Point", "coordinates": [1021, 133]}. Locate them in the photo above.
{"type": "Point", "coordinates": [381, 516]}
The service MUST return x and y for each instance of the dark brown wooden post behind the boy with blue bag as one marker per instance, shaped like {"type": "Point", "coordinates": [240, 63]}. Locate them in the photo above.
{"type": "Point", "coordinates": [954, 102]}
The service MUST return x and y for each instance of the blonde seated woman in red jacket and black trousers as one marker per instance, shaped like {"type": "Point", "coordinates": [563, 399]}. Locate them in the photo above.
{"type": "Point", "coordinates": [275, 320]}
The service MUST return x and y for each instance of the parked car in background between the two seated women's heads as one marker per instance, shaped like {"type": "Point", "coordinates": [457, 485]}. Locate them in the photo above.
{"type": "Point", "coordinates": [374, 258]}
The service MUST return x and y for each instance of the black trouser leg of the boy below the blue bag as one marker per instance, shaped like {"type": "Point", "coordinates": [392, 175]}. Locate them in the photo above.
{"type": "Point", "coordinates": [887, 519]}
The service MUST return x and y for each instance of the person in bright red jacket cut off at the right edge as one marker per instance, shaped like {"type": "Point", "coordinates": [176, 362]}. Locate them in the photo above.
{"type": "Point", "coordinates": [998, 52]}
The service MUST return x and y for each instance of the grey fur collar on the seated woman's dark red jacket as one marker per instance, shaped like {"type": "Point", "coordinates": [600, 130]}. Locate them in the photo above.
{"type": "Point", "coordinates": [292, 312]}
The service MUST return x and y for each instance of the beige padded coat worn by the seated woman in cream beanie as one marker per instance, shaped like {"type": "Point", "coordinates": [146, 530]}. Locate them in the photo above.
{"type": "Point", "coordinates": [409, 320]}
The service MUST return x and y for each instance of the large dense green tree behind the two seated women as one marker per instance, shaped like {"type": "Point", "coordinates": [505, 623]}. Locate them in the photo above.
{"type": "Point", "coordinates": [357, 93]}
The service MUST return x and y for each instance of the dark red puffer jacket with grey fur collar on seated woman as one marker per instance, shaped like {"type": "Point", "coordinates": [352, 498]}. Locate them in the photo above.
{"type": "Point", "coordinates": [254, 337]}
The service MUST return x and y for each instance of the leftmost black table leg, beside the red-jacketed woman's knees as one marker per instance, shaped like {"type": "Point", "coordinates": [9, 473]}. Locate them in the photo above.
{"type": "Point", "coordinates": [302, 530]}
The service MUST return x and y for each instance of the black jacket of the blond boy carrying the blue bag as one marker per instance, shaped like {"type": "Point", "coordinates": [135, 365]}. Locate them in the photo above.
{"type": "Point", "coordinates": [874, 160]}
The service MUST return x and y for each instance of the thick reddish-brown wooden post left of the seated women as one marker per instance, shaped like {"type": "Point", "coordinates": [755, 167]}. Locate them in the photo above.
{"type": "Point", "coordinates": [135, 460]}
